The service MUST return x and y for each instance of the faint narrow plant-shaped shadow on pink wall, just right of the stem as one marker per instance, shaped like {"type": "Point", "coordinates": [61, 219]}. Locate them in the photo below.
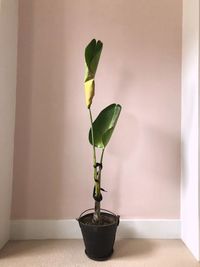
{"type": "Point", "coordinates": [122, 146]}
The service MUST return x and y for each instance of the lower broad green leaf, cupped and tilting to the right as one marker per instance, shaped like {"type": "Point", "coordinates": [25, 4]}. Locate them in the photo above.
{"type": "Point", "coordinates": [104, 125]}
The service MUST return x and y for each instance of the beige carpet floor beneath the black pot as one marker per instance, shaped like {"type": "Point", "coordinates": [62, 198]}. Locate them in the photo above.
{"type": "Point", "coordinates": [70, 253]}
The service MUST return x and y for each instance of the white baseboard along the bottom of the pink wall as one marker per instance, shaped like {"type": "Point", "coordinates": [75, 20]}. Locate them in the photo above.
{"type": "Point", "coordinates": [69, 229]}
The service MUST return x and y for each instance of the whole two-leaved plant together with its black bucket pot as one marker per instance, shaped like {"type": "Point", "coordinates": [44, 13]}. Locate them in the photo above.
{"type": "Point", "coordinates": [98, 226]}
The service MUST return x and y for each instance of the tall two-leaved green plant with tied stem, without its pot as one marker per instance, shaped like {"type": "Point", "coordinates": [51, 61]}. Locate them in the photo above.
{"type": "Point", "coordinates": [102, 128]}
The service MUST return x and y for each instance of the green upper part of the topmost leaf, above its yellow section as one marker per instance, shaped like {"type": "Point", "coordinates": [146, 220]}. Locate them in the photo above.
{"type": "Point", "coordinates": [92, 56]}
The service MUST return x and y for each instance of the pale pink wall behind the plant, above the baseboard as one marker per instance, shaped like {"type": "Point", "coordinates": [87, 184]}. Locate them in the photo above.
{"type": "Point", "coordinates": [140, 68]}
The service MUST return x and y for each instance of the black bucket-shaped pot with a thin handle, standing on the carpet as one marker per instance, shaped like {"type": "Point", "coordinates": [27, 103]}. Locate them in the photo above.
{"type": "Point", "coordinates": [99, 239]}
